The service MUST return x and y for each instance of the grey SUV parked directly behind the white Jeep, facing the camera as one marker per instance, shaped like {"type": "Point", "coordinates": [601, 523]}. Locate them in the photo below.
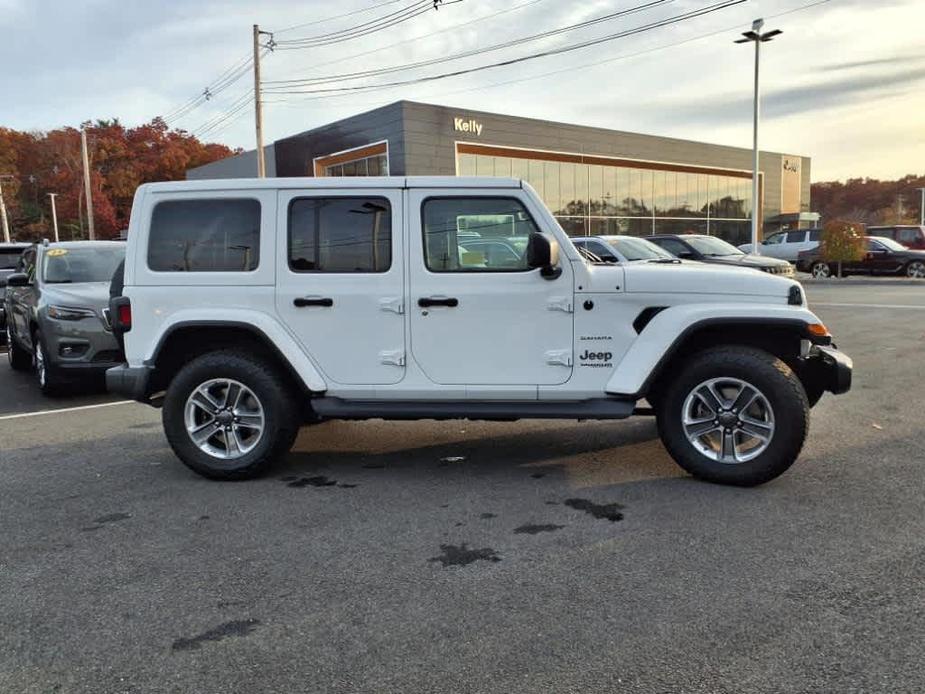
{"type": "Point", "coordinates": [58, 311]}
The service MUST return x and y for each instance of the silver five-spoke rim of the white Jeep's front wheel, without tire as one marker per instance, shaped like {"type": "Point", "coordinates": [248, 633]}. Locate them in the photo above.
{"type": "Point", "coordinates": [728, 420]}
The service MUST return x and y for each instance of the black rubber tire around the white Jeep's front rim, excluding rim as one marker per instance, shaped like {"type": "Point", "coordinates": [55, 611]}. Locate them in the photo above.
{"type": "Point", "coordinates": [777, 383]}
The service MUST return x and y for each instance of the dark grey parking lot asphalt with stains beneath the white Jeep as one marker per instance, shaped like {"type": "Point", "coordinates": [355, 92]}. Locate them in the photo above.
{"type": "Point", "coordinates": [475, 557]}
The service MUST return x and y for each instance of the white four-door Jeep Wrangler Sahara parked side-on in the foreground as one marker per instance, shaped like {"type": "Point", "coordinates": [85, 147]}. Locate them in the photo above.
{"type": "Point", "coordinates": [252, 307]}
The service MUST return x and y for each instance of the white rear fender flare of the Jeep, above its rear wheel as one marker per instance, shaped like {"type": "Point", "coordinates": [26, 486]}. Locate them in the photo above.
{"type": "Point", "coordinates": [264, 328]}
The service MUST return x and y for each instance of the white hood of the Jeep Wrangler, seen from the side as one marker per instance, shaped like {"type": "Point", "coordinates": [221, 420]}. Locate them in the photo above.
{"type": "Point", "coordinates": [701, 278]}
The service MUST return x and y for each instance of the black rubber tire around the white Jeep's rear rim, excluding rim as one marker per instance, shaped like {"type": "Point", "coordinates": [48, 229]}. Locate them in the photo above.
{"type": "Point", "coordinates": [280, 408]}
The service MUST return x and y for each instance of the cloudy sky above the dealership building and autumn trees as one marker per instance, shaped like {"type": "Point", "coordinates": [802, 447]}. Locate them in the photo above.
{"type": "Point", "coordinates": [844, 84]}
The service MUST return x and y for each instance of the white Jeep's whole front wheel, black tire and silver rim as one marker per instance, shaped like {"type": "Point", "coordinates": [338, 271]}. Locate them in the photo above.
{"type": "Point", "coordinates": [734, 415]}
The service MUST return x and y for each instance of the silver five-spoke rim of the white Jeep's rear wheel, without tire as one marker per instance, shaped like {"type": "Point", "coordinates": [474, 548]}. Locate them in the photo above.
{"type": "Point", "coordinates": [224, 418]}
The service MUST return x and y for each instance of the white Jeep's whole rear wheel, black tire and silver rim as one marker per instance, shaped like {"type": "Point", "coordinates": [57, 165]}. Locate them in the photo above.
{"type": "Point", "coordinates": [229, 416]}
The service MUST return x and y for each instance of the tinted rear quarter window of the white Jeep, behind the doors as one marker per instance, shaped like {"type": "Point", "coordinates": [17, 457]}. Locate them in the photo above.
{"type": "Point", "coordinates": [205, 235]}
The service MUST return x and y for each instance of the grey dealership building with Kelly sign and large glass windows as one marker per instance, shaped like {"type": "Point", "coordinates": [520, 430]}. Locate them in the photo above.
{"type": "Point", "coordinates": [595, 181]}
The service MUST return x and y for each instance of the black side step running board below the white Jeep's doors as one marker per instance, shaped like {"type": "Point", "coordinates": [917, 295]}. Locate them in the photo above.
{"type": "Point", "coordinates": [598, 408]}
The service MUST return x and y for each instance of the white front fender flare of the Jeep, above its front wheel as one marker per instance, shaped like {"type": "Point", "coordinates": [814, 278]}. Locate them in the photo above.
{"type": "Point", "coordinates": [666, 332]}
